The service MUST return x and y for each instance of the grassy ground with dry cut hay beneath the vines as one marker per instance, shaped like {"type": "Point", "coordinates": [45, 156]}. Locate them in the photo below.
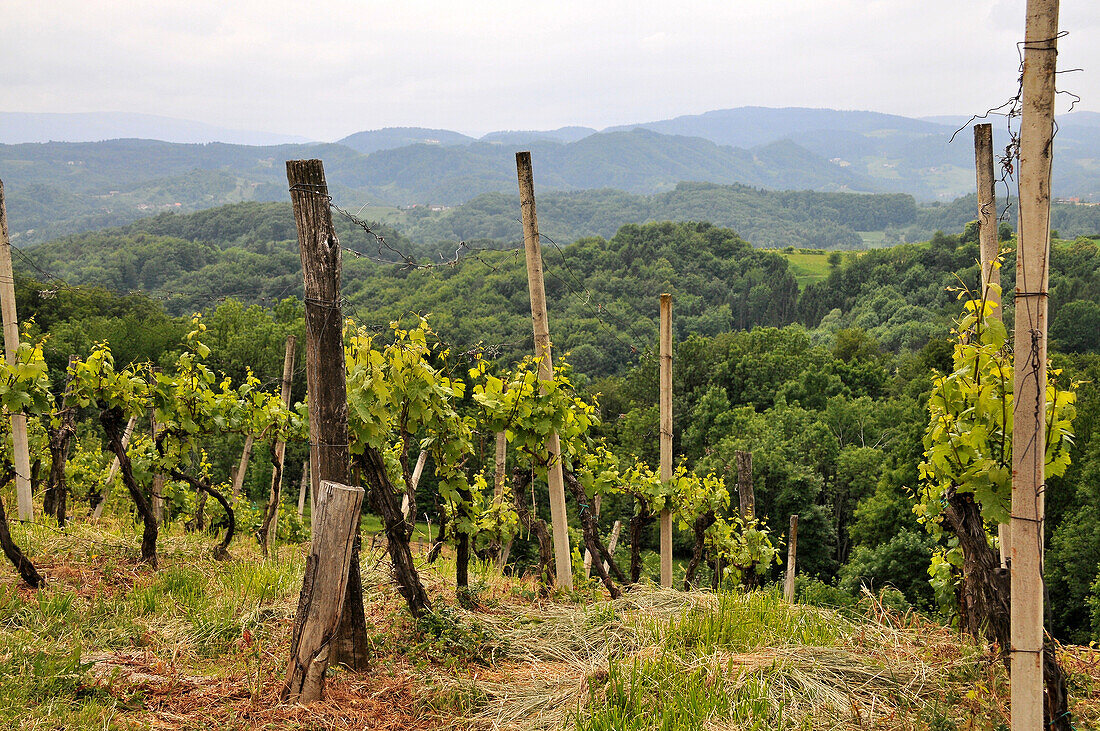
{"type": "Point", "coordinates": [197, 644]}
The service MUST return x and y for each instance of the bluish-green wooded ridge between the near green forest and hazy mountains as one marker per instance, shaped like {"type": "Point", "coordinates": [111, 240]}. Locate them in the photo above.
{"type": "Point", "coordinates": [768, 219]}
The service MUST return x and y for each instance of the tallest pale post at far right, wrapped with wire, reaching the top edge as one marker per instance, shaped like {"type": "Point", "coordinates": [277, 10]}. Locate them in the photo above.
{"type": "Point", "coordinates": [1029, 436]}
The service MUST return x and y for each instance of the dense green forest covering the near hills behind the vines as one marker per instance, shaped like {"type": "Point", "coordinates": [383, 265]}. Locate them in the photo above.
{"type": "Point", "coordinates": [828, 386]}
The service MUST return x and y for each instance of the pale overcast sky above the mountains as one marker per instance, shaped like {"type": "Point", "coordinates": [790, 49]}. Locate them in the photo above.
{"type": "Point", "coordinates": [326, 70]}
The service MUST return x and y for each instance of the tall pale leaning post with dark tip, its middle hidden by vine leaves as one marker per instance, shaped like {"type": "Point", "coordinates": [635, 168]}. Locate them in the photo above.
{"type": "Point", "coordinates": [564, 573]}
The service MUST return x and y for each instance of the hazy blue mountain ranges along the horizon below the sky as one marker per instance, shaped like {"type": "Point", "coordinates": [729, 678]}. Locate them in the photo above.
{"type": "Point", "coordinates": [58, 189]}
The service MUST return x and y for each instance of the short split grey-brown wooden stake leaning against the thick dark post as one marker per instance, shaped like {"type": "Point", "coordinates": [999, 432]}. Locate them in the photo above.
{"type": "Point", "coordinates": [324, 589]}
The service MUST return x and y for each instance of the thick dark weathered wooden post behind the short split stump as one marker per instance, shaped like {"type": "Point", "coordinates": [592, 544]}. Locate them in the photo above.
{"type": "Point", "coordinates": [326, 380]}
